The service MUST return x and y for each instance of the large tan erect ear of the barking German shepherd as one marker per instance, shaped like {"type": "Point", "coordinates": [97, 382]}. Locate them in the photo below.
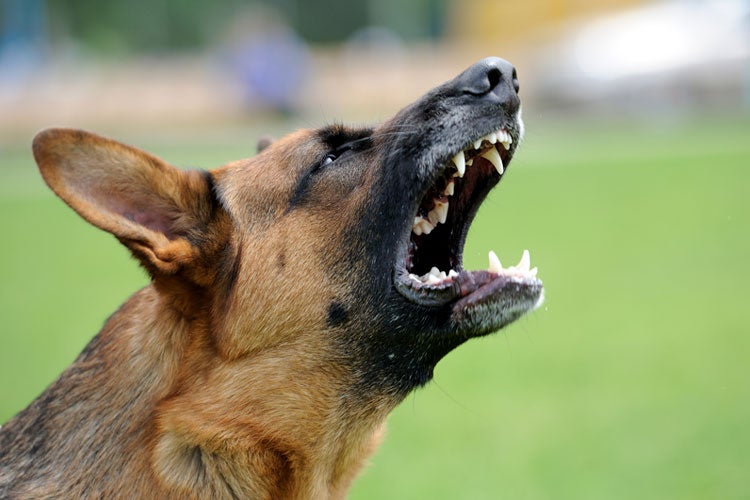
{"type": "Point", "coordinates": [158, 211]}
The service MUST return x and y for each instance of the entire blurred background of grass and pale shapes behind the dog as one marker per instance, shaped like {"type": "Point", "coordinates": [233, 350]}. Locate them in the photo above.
{"type": "Point", "coordinates": [631, 192]}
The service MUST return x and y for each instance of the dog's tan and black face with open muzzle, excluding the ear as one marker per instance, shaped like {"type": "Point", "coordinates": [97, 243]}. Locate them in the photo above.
{"type": "Point", "coordinates": [378, 219]}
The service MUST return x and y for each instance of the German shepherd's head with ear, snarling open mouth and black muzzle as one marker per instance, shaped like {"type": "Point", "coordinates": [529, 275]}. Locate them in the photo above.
{"type": "Point", "coordinates": [343, 242]}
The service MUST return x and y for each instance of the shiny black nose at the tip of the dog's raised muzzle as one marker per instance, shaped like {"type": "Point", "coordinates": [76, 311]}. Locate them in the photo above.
{"type": "Point", "coordinates": [491, 76]}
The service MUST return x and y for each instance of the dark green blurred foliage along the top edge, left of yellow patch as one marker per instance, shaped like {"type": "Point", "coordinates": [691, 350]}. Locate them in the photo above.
{"type": "Point", "coordinates": [113, 26]}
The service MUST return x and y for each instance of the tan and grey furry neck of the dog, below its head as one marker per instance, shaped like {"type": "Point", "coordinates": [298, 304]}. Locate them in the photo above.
{"type": "Point", "coordinates": [252, 427]}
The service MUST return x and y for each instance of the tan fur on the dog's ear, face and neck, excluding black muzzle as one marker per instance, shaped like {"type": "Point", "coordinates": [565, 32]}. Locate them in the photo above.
{"type": "Point", "coordinates": [249, 408]}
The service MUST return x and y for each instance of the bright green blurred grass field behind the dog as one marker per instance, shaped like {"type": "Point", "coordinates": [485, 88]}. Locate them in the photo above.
{"type": "Point", "coordinates": [631, 381]}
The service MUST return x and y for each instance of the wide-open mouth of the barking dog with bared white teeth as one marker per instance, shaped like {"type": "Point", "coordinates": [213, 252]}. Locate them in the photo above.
{"type": "Point", "coordinates": [431, 272]}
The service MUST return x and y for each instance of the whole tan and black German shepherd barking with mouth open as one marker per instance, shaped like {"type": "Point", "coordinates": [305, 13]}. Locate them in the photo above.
{"type": "Point", "coordinates": [296, 298]}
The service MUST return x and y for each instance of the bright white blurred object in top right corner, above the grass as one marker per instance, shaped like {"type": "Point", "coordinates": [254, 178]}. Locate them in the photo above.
{"type": "Point", "coordinates": [673, 50]}
